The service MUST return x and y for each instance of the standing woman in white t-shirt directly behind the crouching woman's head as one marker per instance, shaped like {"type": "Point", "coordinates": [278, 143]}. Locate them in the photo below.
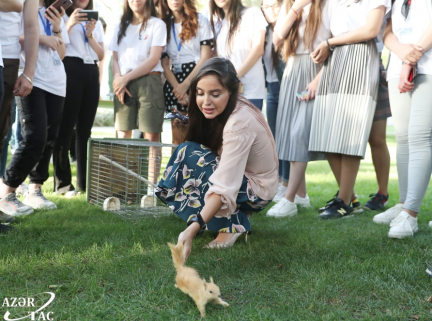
{"type": "Point", "coordinates": [241, 40]}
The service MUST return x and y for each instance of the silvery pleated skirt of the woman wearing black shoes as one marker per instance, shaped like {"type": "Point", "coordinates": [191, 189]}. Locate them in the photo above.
{"type": "Point", "coordinates": [346, 100]}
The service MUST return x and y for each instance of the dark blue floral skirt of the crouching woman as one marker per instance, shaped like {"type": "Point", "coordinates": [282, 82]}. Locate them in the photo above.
{"type": "Point", "coordinates": [186, 181]}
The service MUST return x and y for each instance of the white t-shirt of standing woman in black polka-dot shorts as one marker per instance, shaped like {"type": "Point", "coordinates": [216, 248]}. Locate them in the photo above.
{"type": "Point", "coordinates": [190, 51]}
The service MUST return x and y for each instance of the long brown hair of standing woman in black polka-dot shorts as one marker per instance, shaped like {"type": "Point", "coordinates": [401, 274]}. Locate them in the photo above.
{"type": "Point", "coordinates": [190, 19]}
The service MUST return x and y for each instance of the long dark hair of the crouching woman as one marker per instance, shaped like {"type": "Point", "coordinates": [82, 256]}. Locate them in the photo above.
{"type": "Point", "coordinates": [208, 132]}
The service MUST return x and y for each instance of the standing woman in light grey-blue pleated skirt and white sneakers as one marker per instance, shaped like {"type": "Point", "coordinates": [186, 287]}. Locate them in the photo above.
{"type": "Point", "coordinates": [302, 26]}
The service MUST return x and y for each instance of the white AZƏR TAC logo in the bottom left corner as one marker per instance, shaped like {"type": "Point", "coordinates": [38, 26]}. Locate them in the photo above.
{"type": "Point", "coordinates": [22, 308]}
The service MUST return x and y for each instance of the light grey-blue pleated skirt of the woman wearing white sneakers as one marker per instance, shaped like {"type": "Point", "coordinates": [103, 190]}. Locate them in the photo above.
{"type": "Point", "coordinates": [294, 118]}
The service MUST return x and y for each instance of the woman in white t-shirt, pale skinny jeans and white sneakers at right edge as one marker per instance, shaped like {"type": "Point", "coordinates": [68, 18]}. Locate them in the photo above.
{"type": "Point", "coordinates": [408, 35]}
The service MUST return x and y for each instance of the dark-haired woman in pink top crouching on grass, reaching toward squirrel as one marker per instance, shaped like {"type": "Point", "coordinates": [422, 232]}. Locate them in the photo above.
{"type": "Point", "coordinates": [227, 168]}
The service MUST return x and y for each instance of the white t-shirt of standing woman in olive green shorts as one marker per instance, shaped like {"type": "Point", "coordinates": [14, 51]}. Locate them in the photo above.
{"type": "Point", "coordinates": [135, 47]}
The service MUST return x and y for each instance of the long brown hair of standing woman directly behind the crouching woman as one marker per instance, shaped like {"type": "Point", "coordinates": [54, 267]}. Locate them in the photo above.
{"type": "Point", "coordinates": [234, 18]}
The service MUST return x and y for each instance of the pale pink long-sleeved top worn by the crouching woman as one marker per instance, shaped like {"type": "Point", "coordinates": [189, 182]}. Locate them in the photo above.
{"type": "Point", "coordinates": [248, 149]}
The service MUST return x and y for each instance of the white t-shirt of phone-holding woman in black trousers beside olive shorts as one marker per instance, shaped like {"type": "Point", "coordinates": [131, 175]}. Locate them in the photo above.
{"type": "Point", "coordinates": [77, 45]}
